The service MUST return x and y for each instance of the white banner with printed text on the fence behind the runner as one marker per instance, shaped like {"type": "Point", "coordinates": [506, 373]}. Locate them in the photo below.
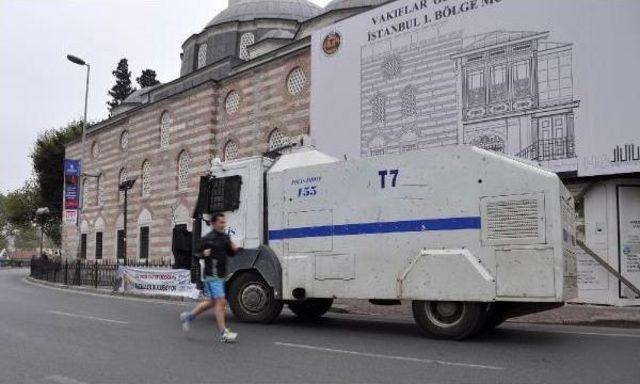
{"type": "Point", "coordinates": [150, 281]}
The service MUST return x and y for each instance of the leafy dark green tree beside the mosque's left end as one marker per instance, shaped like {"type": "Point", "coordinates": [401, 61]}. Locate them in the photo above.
{"type": "Point", "coordinates": [48, 168]}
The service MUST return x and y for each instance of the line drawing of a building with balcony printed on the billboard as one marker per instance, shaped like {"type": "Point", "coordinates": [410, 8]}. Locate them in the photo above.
{"type": "Point", "coordinates": [506, 91]}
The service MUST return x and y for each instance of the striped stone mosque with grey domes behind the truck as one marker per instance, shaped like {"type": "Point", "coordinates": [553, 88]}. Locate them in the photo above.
{"type": "Point", "coordinates": [243, 89]}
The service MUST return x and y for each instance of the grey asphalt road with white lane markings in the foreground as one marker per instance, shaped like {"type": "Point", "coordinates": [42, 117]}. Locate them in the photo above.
{"type": "Point", "coordinates": [58, 336]}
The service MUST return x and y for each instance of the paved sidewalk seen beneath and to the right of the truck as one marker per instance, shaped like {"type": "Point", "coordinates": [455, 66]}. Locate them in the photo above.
{"type": "Point", "coordinates": [573, 314]}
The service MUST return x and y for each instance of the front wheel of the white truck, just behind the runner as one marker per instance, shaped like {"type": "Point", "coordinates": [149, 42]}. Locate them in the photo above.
{"type": "Point", "coordinates": [251, 299]}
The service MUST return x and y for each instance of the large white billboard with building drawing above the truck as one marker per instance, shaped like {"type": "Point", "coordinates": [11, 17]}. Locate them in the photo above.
{"type": "Point", "coordinates": [549, 81]}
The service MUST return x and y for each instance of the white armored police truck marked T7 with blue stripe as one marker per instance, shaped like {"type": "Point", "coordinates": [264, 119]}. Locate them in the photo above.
{"type": "Point", "coordinates": [468, 236]}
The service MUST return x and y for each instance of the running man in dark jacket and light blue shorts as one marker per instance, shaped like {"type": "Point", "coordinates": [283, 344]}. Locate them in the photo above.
{"type": "Point", "coordinates": [215, 248]}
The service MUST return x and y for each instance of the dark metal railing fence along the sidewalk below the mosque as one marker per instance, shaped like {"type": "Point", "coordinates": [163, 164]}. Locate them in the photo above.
{"type": "Point", "coordinates": [95, 273]}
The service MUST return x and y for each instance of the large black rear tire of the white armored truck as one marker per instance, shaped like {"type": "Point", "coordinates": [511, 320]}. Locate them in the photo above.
{"type": "Point", "coordinates": [451, 320]}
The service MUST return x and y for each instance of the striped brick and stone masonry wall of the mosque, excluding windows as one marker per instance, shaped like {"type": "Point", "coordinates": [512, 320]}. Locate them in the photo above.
{"type": "Point", "coordinates": [201, 127]}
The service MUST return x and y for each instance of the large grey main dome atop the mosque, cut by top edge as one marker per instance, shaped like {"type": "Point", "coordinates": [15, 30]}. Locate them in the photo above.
{"type": "Point", "coordinates": [247, 10]}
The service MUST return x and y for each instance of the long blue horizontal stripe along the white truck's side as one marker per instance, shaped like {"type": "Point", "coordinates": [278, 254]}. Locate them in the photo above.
{"type": "Point", "coordinates": [447, 224]}
